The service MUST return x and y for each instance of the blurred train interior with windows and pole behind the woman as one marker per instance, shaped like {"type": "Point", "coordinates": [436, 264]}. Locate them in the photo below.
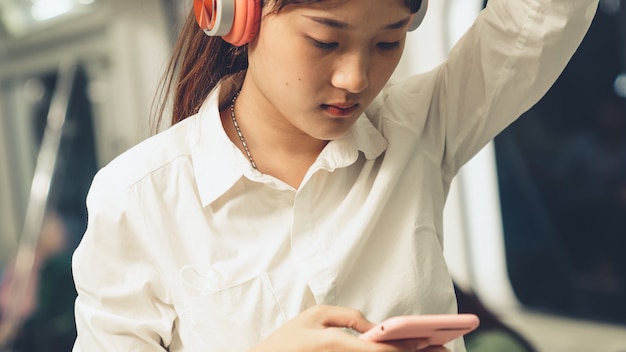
{"type": "Point", "coordinates": [535, 224]}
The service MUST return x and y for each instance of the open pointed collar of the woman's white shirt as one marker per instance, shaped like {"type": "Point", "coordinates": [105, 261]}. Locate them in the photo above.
{"type": "Point", "coordinates": [219, 164]}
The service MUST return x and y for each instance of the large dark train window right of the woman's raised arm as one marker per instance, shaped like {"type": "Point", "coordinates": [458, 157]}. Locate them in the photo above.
{"type": "Point", "coordinates": [562, 180]}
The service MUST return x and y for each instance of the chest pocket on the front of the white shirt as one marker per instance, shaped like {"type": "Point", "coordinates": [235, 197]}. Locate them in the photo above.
{"type": "Point", "coordinates": [215, 315]}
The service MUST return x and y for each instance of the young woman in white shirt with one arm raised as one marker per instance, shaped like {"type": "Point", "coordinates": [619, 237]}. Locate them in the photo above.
{"type": "Point", "coordinates": [298, 197]}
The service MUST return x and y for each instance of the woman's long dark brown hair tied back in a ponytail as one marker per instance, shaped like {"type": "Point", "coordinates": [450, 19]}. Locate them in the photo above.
{"type": "Point", "coordinates": [199, 62]}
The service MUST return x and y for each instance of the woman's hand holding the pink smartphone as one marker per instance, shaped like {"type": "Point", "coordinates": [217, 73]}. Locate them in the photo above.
{"type": "Point", "coordinates": [316, 330]}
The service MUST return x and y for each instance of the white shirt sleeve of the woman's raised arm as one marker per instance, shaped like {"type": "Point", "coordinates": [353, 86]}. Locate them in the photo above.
{"type": "Point", "coordinates": [502, 66]}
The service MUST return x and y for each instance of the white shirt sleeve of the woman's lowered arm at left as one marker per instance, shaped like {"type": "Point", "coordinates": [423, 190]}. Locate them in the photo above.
{"type": "Point", "coordinates": [121, 303]}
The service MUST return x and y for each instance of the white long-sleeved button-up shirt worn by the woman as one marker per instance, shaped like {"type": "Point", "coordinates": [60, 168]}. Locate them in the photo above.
{"type": "Point", "coordinates": [189, 248]}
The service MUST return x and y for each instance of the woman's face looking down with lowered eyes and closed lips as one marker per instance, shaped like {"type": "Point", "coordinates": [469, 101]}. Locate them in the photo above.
{"type": "Point", "coordinates": [315, 68]}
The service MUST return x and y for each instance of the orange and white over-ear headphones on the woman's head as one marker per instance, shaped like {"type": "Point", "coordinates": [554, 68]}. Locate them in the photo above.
{"type": "Point", "coordinates": [237, 21]}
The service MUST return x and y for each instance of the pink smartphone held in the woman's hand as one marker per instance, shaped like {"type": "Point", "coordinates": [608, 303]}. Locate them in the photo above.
{"type": "Point", "coordinates": [439, 328]}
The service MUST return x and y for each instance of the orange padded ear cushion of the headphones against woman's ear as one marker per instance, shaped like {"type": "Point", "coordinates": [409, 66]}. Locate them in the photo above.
{"type": "Point", "coordinates": [246, 22]}
